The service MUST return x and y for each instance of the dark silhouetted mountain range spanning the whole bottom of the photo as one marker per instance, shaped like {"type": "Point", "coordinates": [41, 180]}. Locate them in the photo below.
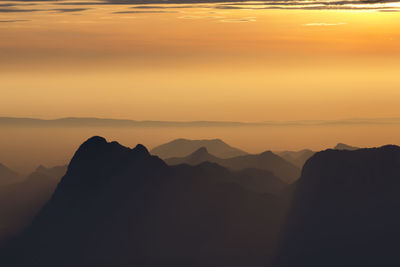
{"type": "Point", "coordinates": [117, 206]}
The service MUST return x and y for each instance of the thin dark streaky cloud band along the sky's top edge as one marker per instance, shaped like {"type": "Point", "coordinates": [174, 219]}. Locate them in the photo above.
{"type": "Point", "coordinates": [374, 5]}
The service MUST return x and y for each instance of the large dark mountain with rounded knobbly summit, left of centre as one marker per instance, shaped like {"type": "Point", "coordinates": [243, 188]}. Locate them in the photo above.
{"type": "Point", "coordinates": [118, 206]}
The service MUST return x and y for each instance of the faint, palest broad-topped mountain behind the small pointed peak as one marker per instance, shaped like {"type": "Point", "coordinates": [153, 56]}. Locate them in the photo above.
{"type": "Point", "coordinates": [184, 147]}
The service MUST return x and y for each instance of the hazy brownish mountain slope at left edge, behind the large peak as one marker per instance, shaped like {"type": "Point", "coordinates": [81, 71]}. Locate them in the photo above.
{"type": "Point", "coordinates": [20, 201]}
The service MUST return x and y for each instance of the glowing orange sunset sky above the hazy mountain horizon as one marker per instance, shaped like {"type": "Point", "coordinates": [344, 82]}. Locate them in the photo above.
{"type": "Point", "coordinates": [189, 60]}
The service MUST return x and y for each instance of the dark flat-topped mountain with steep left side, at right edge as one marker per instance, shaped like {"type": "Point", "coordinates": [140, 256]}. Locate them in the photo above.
{"type": "Point", "coordinates": [345, 210]}
